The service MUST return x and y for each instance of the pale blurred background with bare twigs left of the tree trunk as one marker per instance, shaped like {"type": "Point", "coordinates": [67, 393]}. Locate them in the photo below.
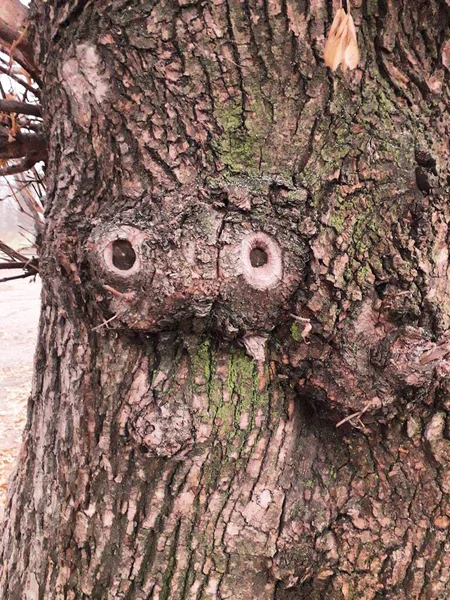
{"type": "Point", "coordinates": [22, 199]}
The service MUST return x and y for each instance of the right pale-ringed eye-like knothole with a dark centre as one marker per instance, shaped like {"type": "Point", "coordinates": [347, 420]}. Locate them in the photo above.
{"type": "Point", "coordinates": [262, 261]}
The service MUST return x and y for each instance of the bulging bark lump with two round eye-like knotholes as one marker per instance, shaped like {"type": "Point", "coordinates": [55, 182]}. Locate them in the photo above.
{"type": "Point", "coordinates": [212, 264]}
